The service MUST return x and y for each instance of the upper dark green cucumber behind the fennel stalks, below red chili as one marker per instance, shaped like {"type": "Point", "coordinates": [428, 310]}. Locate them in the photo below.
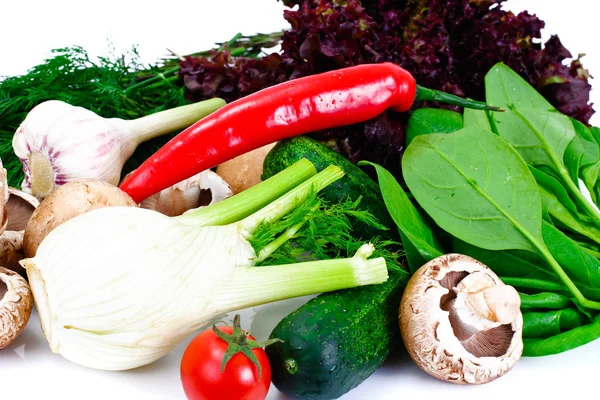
{"type": "Point", "coordinates": [353, 184]}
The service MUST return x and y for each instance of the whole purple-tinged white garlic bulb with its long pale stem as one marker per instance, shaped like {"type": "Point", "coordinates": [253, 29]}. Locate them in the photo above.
{"type": "Point", "coordinates": [58, 142]}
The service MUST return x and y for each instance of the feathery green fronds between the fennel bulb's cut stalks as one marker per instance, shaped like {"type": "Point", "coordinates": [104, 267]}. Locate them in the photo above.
{"type": "Point", "coordinates": [325, 232]}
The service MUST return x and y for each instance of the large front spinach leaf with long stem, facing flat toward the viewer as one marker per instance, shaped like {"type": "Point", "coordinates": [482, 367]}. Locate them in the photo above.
{"type": "Point", "coordinates": [476, 187]}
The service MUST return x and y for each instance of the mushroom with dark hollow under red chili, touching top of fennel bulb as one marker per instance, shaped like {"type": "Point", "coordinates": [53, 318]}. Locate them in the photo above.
{"type": "Point", "coordinates": [199, 190]}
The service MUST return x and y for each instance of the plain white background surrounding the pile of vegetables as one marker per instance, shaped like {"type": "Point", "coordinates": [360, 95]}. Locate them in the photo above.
{"type": "Point", "coordinates": [29, 29]}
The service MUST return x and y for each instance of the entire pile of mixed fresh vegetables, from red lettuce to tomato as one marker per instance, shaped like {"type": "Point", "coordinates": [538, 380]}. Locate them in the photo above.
{"type": "Point", "coordinates": [458, 220]}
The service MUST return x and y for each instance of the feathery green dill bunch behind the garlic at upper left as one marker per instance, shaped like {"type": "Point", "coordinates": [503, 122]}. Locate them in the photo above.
{"type": "Point", "coordinates": [112, 86]}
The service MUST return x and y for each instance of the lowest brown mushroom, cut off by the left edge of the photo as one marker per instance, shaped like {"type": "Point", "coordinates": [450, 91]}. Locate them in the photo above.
{"type": "Point", "coordinates": [16, 302]}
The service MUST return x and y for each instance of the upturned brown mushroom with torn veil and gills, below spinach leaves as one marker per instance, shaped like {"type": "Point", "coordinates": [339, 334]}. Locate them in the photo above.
{"type": "Point", "coordinates": [460, 322]}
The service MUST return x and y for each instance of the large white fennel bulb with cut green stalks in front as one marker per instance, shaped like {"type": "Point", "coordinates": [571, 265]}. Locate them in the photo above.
{"type": "Point", "coordinates": [119, 287]}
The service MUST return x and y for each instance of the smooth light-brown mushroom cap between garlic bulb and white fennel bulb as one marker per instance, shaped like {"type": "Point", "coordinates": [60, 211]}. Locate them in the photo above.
{"type": "Point", "coordinates": [66, 202]}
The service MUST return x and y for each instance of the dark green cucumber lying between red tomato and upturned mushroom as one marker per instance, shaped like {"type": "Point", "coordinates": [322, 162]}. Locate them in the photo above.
{"type": "Point", "coordinates": [337, 340]}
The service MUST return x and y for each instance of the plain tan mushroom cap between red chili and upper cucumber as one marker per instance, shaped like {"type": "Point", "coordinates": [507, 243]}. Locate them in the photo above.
{"type": "Point", "coordinates": [244, 171]}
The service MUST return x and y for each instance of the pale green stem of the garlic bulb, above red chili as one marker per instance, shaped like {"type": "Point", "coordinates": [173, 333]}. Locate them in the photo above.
{"type": "Point", "coordinates": [163, 122]}
